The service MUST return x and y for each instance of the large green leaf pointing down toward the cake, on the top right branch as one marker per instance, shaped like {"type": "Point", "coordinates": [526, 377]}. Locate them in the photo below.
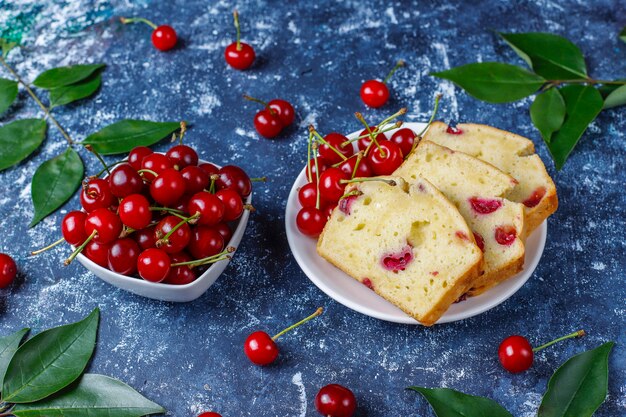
{"type": "Point", "coordinates": [583, 103]}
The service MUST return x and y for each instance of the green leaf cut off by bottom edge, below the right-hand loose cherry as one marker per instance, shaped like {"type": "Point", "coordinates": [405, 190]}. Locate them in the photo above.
{"type": "Point", "coordinates": [450, 403]}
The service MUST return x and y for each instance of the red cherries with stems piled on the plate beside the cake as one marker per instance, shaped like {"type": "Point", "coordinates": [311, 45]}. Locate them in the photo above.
{"type": "Point", "coordinates": [336, 161]}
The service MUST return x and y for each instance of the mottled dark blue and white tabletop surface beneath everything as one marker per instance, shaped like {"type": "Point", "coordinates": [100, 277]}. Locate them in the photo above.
{"type": "Point", "coordinates": [188, 357]}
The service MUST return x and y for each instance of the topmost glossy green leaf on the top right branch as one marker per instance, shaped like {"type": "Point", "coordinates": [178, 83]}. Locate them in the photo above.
{"type": "Point", "coordinates": [551, 56]}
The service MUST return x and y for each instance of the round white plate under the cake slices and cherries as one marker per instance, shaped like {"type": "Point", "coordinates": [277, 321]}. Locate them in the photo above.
{"type": "Point", "coordinates": [349, 292]}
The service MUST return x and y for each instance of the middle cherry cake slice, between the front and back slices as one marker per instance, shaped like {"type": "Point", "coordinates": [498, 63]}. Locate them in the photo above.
{"type": "Point", "coordinates": [477, 189]}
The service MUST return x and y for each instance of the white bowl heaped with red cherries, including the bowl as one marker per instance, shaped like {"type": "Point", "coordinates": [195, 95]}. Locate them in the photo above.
{"type": "Point", "coordinates": [163, 226]}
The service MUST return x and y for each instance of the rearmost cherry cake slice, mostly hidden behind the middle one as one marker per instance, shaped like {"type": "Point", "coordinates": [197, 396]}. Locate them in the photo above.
{"type": "Point", "coordinates": [511, 153]}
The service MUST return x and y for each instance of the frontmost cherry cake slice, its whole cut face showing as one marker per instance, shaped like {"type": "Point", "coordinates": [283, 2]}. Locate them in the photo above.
{"type": "Point", "coordinates": [407, 243]}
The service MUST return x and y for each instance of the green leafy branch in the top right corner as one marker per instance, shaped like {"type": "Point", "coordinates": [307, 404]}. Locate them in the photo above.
{"type": "Point", "coordinates": [566, 99]}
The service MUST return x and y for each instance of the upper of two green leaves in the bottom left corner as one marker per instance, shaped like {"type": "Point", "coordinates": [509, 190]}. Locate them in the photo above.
{"type": "Point", "coordinates": [50, 361]}
